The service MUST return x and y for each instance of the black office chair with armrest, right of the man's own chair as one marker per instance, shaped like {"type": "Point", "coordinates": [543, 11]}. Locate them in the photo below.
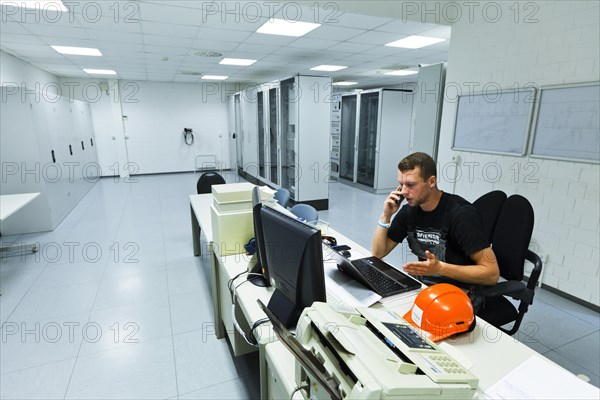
{"type": "Point", "coordinates": [510, 242]}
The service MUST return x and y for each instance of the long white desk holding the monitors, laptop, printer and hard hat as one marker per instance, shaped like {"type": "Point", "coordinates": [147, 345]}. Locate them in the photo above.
{"type": "Point", "coordinates": [491, 353]}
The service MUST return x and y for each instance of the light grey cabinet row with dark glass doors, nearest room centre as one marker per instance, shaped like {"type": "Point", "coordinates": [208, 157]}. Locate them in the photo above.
{"type": "Point", "coordinates": [285, 132]}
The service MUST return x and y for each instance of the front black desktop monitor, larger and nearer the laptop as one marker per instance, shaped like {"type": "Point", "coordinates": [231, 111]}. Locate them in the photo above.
{"type": "Point", "coordinates": [294, 254]}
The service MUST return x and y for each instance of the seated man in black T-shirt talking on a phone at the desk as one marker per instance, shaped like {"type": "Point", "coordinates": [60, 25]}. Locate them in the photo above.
{"type": "Point", "coordinates": [444, 230]}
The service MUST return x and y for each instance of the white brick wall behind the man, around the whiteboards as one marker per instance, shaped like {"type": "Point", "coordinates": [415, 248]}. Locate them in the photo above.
{"type": "Point", "coordinates": [546, 43]}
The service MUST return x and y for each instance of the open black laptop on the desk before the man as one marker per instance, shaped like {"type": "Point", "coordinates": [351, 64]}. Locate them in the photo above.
{"type": "Point", "coordinates": [377, 275]}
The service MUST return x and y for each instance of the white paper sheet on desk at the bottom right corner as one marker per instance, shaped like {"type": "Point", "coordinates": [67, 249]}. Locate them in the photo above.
{"type": "Point", "coordinates": [537, 378]}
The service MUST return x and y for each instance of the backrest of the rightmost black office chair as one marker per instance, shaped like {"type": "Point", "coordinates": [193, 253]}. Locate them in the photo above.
{"type": "Point", "coordinates": [512, 236]}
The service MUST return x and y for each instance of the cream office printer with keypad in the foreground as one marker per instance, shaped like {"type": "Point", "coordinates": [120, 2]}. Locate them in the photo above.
{"type": "Point", "coordinates": [374, 355]}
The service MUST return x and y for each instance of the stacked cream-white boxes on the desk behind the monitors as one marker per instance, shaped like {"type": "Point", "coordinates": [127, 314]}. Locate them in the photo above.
{"type": "Point", "coordinates": [231, 215]}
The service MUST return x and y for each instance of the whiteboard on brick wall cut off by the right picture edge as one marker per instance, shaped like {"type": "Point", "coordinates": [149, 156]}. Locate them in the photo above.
{"type": "Point", "coordinates": [568, 123]}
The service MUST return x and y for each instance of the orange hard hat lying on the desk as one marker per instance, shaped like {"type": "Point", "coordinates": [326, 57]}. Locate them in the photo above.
{"type": "Point", "coordinates": [440, 311]}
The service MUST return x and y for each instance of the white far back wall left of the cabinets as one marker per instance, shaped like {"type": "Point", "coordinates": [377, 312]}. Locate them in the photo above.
{"type": "Point", "coordinates": [156, 114]}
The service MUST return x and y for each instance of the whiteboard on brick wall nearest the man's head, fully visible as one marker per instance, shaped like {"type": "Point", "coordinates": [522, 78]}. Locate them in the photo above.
{"type": "Point", "coordinates": [495, 122]}
